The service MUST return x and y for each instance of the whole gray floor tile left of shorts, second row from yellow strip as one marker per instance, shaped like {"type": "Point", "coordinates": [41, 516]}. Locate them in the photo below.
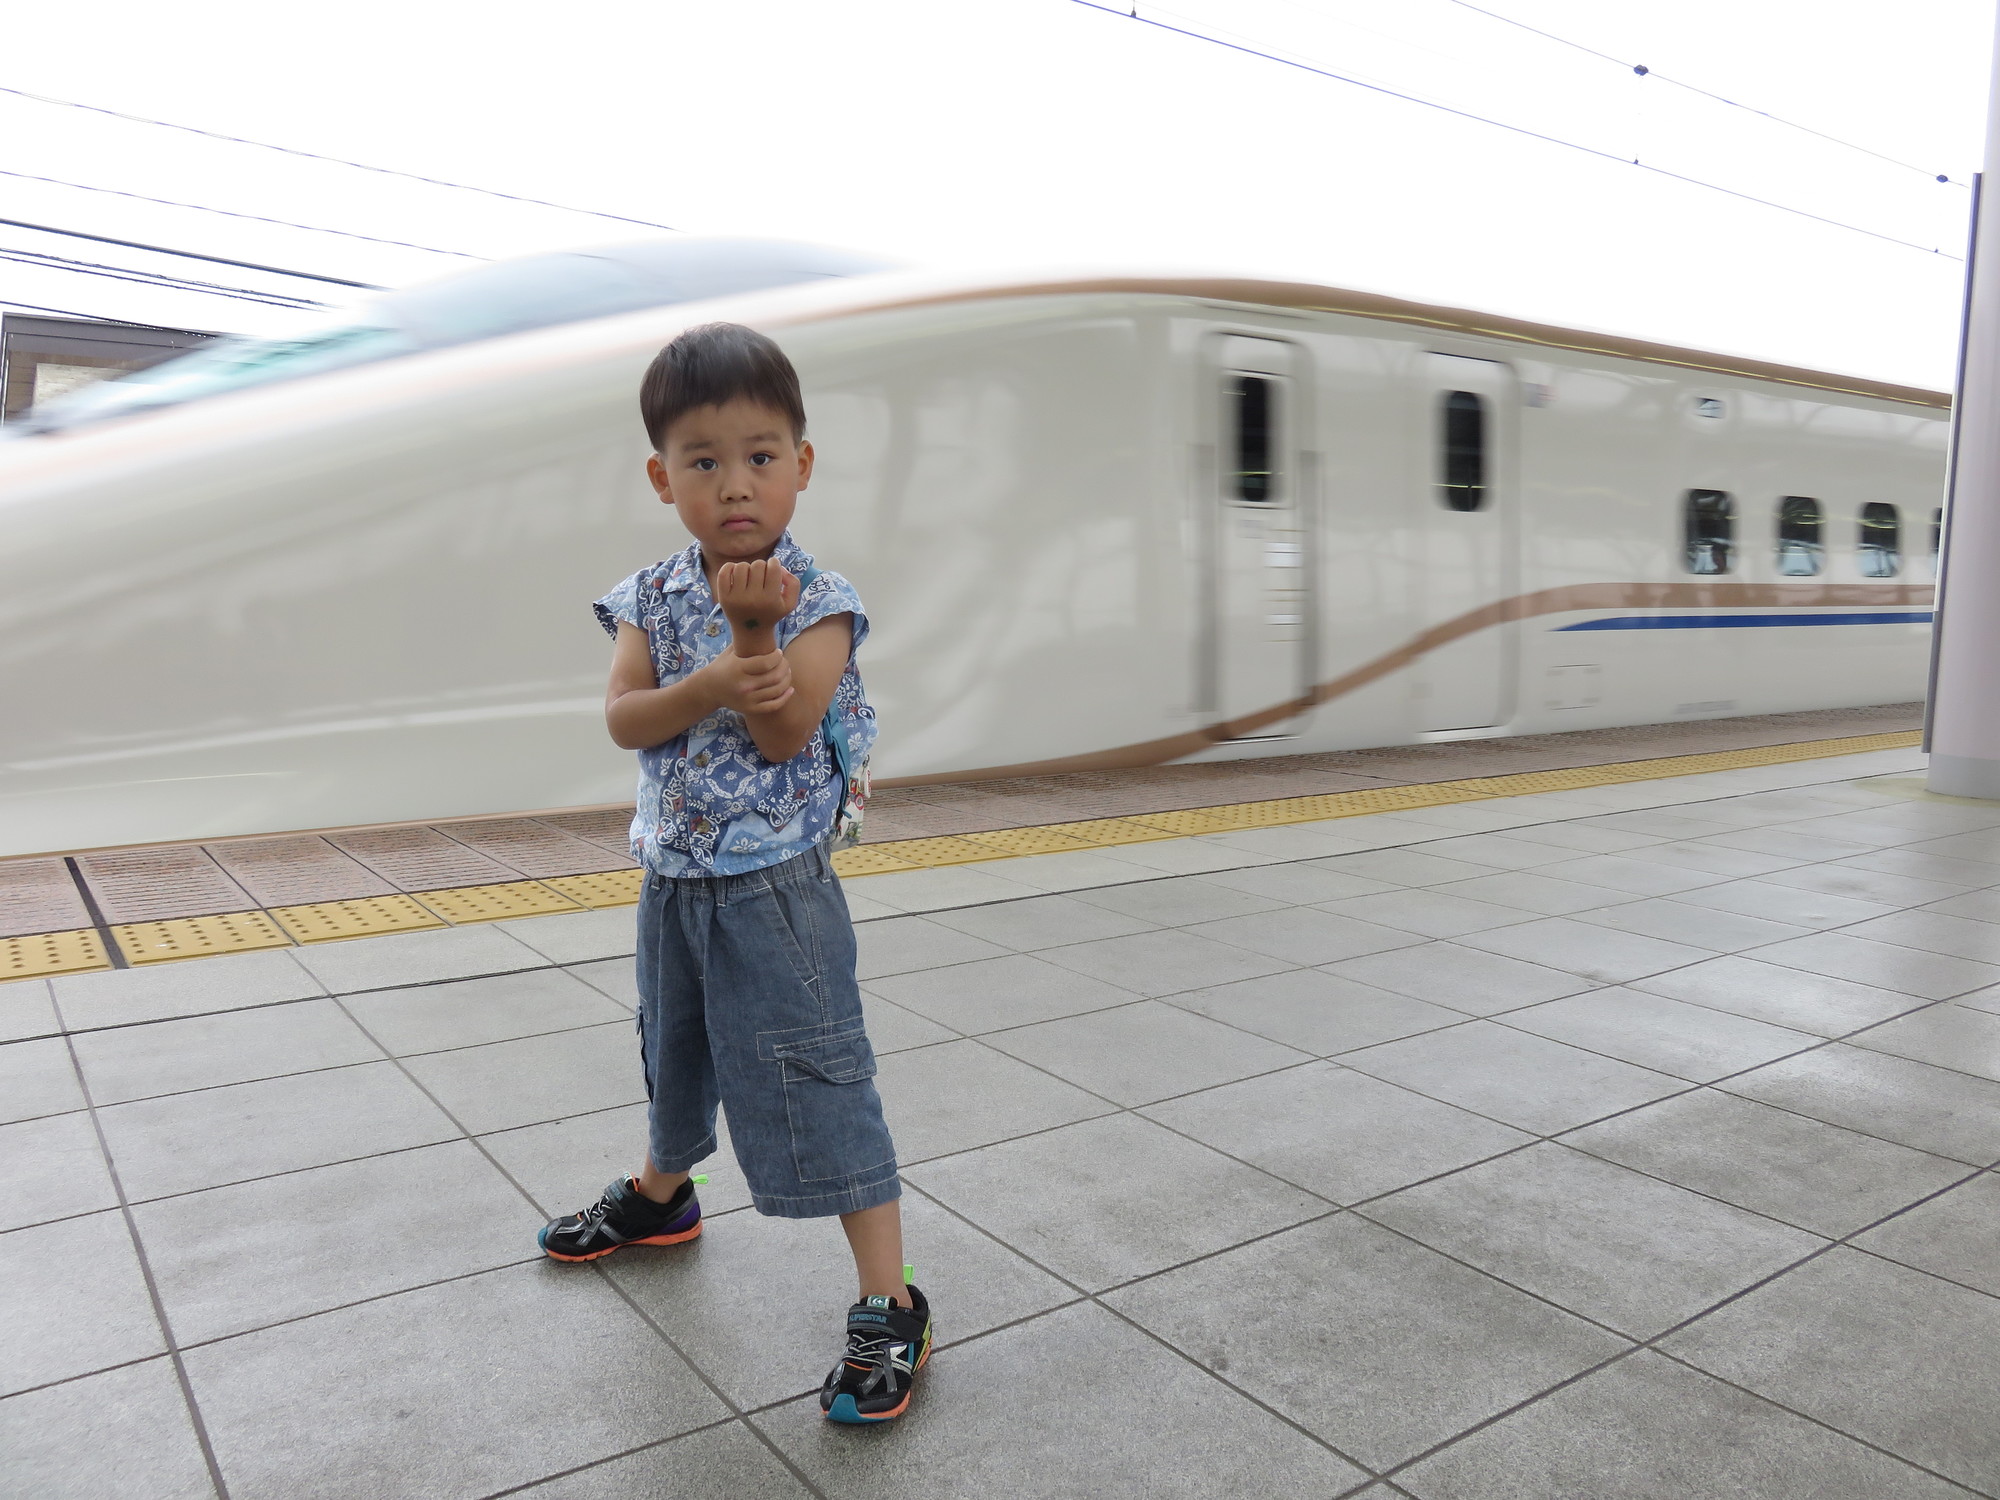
{"type": "Point", "coordinates": [495, 1009]}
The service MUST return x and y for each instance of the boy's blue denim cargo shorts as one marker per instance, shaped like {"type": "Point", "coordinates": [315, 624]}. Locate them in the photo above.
{"type": "Point", "coordinates": [749, 1001]}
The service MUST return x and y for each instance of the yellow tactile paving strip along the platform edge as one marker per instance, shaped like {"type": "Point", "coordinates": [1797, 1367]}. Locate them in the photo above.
{"type": "Point", "coordinates": [197, 937]}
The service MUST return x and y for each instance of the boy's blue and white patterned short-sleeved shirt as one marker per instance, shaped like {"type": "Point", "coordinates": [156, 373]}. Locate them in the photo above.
{"type": "Point", "coordinates": [709, 801]}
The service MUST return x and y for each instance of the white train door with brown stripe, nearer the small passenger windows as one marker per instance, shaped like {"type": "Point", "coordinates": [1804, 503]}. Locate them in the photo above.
{"type": "Point", "coordinates": [1471, 555]}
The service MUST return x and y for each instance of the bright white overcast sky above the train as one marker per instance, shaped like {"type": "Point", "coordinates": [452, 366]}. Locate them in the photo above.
{"type": "Point", "coordinates": [1045, 131]}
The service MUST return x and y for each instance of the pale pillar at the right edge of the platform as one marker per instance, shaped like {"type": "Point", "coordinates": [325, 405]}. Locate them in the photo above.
{"type": "Point", "coordinates": [1965, 675]}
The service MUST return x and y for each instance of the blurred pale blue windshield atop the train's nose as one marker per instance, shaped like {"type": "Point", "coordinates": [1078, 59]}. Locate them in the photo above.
{"type": "Point", "coordinates": [505, 297]}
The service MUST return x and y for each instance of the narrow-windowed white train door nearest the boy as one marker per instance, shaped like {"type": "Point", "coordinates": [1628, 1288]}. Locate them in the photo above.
{"type": "Point", "coordinates": [1261, 539]}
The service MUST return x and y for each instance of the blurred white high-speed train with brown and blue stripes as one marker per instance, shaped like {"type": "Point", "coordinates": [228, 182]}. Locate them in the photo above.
{"type": "Point", "coordinates": [1099, 521]}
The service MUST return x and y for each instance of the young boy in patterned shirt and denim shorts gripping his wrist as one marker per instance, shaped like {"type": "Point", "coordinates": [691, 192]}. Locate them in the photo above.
{"type": "Point", "coordinates": [721, 677]}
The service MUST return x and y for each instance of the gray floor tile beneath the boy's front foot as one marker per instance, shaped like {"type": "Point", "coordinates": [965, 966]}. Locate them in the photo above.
{"type": "Point", "coordinates": [759, 1303]}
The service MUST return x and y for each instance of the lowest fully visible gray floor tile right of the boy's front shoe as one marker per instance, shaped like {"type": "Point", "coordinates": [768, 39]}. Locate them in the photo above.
{"type": "Point", "coordinates": [1377, 1345]}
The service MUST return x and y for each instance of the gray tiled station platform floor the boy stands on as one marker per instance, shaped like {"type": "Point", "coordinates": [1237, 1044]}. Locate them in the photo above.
{"type": "Point", "coordinates": [1623, 1139]}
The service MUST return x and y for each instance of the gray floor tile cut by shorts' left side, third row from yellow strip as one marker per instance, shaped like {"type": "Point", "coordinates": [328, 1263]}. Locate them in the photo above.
{"type": "Point", "coordinates": [535, 1079]}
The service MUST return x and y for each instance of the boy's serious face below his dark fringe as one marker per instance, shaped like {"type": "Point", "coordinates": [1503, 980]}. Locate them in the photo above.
{"type": "Point", "coordinates": [735, 475]}
